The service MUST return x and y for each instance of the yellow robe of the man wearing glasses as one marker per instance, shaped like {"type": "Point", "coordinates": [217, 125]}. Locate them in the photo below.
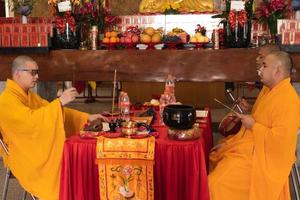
{"type": "Point", "coordinates": [34, 131]}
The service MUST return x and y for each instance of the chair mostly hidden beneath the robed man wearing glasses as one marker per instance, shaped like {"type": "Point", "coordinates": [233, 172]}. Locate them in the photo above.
{"type": "Point", "coordinates": [9, 175]}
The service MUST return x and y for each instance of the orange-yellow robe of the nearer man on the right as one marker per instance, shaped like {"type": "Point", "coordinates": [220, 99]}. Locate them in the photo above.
{"type": "Point", "coordinates": [255, 163]}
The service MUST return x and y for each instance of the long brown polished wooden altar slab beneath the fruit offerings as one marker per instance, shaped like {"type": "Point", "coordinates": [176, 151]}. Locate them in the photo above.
{"type": "Point", "coordinates": [147, 65]}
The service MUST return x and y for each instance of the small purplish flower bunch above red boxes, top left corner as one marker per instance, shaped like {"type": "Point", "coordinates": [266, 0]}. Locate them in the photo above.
{"type": "Point", "coordinates": [22, 7]}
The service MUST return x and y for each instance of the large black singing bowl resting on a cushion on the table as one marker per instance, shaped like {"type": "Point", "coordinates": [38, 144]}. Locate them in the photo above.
{"type": "Point", "coordinates": [179, 116]}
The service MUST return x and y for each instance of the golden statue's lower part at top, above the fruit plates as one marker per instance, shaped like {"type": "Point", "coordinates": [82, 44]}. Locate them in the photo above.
{"type": "Point", "coordinates": [154, 6]}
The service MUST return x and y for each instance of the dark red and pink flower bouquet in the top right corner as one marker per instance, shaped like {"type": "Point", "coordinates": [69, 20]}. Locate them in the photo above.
{"type": "Point", "coordinates": [270, 10]}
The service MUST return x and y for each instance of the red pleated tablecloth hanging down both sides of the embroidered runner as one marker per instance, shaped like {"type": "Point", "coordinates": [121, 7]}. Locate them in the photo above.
{"type": "Point", "coordinates": [179, 171]}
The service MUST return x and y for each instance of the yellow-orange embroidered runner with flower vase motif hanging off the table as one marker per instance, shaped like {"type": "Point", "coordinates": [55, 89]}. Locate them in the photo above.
{"type": "Point", "coordinates": [126, 168]}
